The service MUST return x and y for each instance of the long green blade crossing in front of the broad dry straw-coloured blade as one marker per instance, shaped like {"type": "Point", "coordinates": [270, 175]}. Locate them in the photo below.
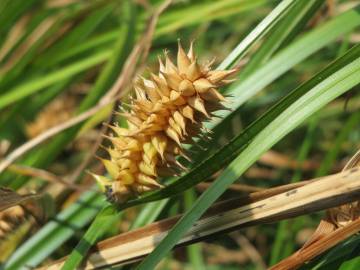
{"type": "Point", "coordinates": [335, 80]}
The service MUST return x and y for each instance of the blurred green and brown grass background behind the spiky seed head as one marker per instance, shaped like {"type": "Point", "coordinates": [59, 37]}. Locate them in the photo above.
{"type": "Point", "coordinates": [58, 58]}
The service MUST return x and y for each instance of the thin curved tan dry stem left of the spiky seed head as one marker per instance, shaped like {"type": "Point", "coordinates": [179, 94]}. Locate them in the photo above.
{"type": "Point", "coordinates": [115, 93]}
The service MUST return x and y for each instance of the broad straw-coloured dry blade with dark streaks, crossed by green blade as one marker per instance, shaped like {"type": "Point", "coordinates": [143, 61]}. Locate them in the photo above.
{"type": "Point", "coordinates": [257, 208]}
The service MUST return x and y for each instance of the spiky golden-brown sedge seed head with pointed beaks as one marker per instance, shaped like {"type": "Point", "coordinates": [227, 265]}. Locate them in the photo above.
{"type": "Point", "coordinates": [166, 111]}
